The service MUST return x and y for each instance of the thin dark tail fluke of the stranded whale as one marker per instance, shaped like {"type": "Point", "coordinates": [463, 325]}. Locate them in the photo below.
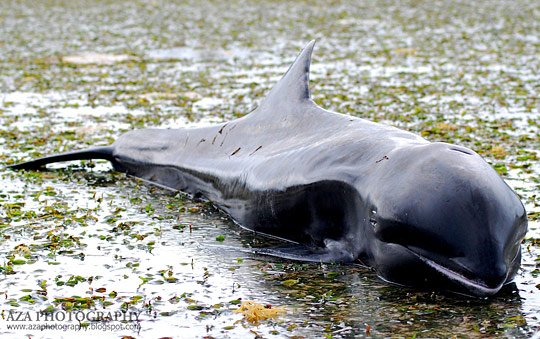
{"type": "Point", "coordinates": [104, 152]}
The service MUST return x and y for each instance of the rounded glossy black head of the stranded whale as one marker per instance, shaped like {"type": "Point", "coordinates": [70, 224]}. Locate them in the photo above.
{"type": "Point", "coordinates": [442, 217]}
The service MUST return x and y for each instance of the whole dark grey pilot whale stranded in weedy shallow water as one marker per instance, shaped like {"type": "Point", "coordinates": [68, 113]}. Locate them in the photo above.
{"type": "Point", "coordinates": [339, 189]}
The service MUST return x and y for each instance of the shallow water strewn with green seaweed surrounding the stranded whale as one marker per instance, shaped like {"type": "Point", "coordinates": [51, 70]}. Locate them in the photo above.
{"type": "Point", "coordinates": [465, 73]}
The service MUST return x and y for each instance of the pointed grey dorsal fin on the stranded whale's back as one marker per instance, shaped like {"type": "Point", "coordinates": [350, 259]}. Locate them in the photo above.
{"type": "Point", "coordinates": [293, 88]}
